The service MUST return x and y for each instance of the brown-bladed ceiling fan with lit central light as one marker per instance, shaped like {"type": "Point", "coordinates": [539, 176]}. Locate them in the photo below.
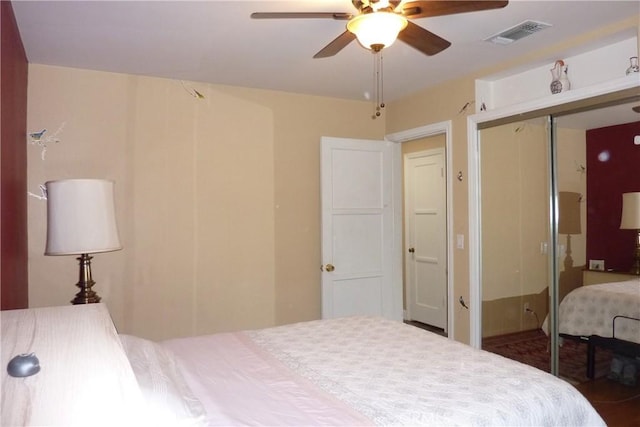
{"type": "Point", "coordinates": [379, 22]}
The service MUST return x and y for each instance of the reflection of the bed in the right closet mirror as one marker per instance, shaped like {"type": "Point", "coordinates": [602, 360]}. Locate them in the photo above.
{"type": "Point", "coordinates": [605, 315]}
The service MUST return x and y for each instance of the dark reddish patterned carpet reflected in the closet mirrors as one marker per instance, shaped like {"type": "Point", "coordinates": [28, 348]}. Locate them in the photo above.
{"type": "Point", "coordinates": [532, 348]}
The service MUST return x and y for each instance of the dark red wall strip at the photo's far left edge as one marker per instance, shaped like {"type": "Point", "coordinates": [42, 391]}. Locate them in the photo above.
{"type": "Point", "coordinates": [14, 291]}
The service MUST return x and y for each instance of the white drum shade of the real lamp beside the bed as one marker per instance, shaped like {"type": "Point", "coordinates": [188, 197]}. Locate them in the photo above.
{"type": "Point", "coordinates": [81, 217]}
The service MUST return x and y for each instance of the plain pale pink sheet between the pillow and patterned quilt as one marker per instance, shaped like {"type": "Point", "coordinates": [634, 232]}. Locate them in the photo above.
{"type": "Point", "coordinates": [239, 383]}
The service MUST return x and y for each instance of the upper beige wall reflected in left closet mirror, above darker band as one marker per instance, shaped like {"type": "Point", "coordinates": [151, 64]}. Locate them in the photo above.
{"type": "Point", "coordinates": [515, 209]}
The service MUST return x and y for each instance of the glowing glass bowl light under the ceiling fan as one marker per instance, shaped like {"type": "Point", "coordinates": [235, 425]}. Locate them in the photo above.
{"type": "Point", "coordinates": [377, 29]}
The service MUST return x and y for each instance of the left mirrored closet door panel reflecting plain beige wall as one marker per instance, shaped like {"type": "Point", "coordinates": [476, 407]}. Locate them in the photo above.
{"type": "Point", "coordinates": [515, 167]}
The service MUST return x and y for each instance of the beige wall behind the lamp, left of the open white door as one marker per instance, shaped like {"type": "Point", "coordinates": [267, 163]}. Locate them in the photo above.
{"type": "Point", "coordinates": [217, 199]}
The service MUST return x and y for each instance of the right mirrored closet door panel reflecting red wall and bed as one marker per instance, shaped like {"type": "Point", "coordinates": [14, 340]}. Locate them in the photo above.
{"type": "Point", "coordinates": [597, 162]}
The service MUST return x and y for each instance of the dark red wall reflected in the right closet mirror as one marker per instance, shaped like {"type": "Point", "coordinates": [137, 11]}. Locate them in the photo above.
{"type": "Point", "coordinates": [613, 168]}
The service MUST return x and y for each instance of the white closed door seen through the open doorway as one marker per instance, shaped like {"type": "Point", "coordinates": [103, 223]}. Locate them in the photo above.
{"type": "Point", "coordinates": [426, 237]}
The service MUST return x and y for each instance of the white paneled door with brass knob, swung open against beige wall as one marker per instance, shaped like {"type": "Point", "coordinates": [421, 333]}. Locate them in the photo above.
{"type": "Point", "coordinates": [357, 228]}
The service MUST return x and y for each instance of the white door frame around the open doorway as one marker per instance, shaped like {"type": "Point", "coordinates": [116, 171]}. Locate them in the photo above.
{"type": "Point", "coordinates": [439, 128]}
